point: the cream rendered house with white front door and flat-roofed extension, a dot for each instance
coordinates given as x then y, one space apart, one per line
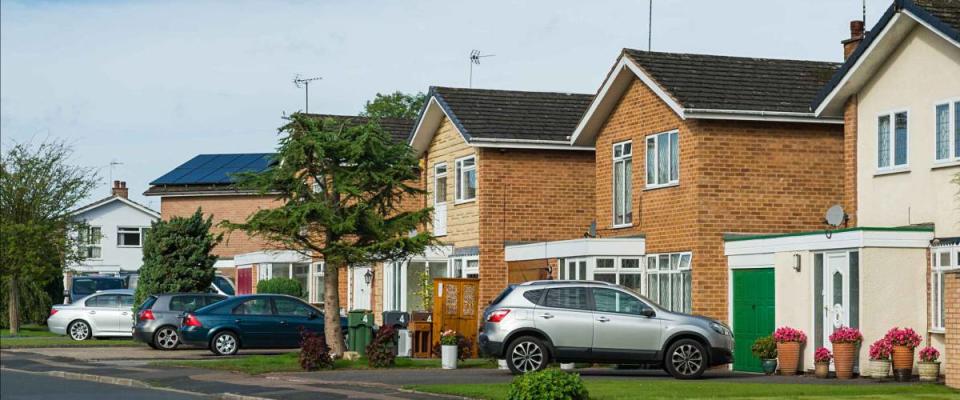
899 94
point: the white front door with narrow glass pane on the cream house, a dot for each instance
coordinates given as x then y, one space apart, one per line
836 294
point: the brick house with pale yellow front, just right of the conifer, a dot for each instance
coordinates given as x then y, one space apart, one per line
499 169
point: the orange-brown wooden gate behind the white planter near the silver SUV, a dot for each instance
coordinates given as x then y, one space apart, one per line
455 307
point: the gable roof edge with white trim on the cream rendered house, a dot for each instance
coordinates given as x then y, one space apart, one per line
942 17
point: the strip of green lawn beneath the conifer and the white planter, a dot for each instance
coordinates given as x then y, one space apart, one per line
288 362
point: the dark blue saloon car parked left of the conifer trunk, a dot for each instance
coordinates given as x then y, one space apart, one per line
251 321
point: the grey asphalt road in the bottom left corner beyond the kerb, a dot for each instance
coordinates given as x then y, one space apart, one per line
19 385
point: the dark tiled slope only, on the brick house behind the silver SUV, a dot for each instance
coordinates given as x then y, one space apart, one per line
699 81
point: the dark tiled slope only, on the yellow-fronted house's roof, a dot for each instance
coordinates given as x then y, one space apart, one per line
512 114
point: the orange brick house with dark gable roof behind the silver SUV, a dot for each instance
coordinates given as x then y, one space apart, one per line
723 145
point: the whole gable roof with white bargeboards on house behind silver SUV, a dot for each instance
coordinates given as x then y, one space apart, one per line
713 87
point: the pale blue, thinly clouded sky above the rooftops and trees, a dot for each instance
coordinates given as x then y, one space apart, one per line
152 84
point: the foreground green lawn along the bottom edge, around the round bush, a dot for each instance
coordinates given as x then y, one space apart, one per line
671 389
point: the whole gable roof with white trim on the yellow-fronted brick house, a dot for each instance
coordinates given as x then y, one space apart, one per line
502 118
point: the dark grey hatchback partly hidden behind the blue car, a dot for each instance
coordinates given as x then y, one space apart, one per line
158 318
